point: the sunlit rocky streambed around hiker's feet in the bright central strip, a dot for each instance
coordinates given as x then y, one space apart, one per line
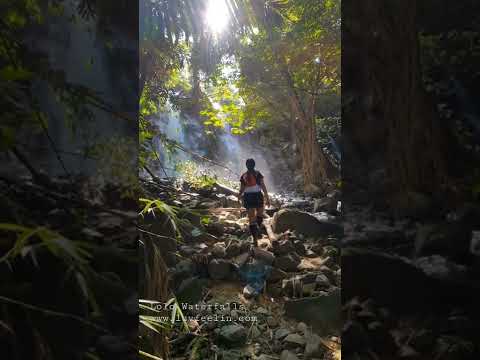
281 301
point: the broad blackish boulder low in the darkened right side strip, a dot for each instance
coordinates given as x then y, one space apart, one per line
403 285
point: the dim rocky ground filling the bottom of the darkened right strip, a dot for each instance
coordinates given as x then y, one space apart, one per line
410 286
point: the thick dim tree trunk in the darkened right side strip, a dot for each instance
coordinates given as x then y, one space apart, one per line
389 122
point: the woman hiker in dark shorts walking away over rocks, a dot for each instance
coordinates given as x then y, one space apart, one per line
251 187
